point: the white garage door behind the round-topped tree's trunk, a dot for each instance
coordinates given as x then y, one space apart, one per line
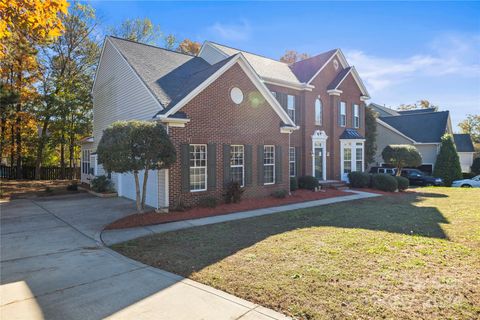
126 187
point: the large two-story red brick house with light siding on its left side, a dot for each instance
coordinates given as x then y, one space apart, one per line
232 115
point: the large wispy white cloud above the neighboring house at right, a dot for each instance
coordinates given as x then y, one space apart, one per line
451 55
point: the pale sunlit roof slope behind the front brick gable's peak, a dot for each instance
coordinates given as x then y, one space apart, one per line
266 68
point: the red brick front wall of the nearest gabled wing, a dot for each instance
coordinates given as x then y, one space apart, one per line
216 119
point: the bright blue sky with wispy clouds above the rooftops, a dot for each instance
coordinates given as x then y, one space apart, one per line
404 51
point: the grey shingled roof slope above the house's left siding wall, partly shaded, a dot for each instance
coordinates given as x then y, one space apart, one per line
164 72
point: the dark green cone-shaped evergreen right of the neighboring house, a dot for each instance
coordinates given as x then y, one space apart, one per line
447 165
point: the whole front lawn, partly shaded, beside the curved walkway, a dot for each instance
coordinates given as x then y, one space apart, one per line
406 256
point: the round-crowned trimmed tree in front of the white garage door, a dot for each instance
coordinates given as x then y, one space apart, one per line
132 146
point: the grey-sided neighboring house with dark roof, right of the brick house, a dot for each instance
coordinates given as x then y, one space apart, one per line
422 128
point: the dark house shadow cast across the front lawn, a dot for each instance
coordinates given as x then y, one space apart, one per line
191 250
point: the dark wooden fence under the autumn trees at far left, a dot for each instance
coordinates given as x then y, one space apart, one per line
46 173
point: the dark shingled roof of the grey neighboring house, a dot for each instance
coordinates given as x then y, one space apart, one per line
420 127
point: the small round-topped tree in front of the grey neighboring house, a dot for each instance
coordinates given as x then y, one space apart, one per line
401 156
